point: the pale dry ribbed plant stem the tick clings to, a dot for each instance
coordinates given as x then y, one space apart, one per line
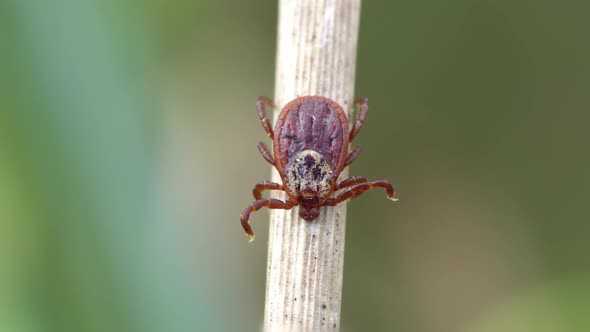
317 42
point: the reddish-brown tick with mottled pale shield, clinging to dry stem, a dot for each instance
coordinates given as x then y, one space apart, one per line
310 149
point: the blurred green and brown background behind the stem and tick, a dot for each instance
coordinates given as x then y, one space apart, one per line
128 135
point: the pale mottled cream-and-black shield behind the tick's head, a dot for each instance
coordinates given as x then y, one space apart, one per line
309 172
